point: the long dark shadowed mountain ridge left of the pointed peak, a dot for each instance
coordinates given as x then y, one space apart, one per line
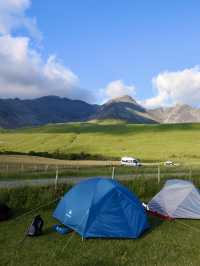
50 109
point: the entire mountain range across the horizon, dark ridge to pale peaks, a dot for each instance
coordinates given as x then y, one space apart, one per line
52 109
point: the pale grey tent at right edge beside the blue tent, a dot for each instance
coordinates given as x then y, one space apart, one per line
177 199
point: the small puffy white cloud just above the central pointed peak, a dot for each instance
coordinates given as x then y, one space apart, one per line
117 88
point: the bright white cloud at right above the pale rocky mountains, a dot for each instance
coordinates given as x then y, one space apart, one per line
176 87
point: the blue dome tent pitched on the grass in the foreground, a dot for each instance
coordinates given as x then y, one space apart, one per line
102 208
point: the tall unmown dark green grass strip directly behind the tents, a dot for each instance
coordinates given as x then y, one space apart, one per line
31 197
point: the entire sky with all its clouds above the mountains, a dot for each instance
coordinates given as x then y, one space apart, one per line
96 50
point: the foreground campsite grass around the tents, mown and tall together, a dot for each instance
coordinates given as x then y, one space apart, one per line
166 243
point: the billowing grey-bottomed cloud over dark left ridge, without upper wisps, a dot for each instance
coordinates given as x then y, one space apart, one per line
24 74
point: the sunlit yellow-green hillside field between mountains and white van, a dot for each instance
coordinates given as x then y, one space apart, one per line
147 142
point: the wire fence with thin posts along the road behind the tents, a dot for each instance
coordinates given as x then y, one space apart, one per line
34 171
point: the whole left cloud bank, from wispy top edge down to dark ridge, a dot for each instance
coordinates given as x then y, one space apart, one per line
24 73
